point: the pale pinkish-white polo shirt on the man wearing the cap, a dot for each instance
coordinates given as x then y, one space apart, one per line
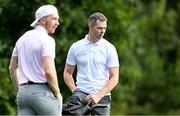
30 48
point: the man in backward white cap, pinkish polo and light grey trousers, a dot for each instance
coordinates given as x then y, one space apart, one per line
32 68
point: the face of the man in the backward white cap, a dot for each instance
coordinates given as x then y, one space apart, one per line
51 23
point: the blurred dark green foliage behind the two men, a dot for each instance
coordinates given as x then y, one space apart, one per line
145 34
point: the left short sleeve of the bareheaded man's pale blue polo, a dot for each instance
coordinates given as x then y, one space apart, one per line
71 59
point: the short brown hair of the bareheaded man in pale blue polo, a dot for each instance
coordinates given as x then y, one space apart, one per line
94 17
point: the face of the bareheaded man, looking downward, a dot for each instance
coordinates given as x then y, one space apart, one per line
99 29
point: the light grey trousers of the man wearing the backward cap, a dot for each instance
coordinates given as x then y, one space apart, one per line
37 99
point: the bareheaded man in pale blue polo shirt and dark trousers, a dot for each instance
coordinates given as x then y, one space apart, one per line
97 70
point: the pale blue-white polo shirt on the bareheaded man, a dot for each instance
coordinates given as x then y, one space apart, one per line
93 61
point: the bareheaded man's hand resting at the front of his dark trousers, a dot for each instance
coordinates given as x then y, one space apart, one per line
93 98
